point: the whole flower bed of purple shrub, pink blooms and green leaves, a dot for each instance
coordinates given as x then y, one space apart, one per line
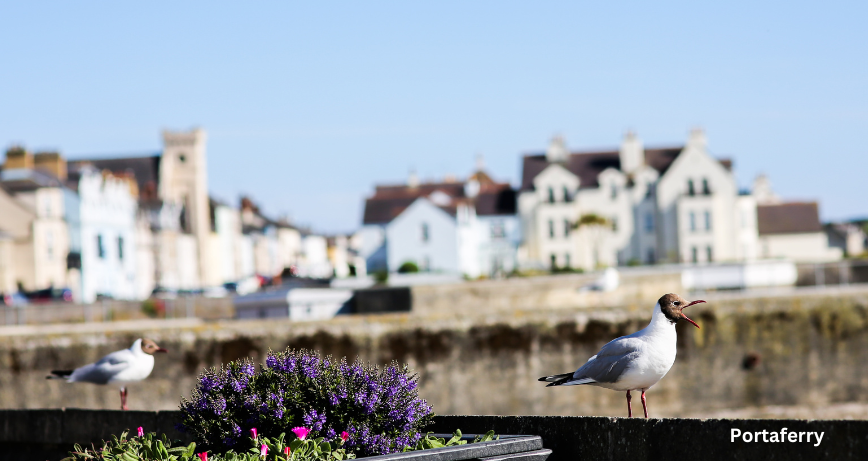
298 406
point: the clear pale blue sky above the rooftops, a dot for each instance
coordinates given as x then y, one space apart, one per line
307 106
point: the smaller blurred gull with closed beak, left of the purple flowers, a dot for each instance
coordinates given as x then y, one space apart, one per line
121 367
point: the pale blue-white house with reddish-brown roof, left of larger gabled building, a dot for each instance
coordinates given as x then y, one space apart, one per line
449 227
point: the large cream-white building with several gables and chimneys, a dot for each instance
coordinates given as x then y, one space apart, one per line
633 205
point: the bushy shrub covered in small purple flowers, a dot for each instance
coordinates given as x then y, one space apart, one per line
379 408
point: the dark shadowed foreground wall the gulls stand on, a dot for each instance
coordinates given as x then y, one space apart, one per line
50 434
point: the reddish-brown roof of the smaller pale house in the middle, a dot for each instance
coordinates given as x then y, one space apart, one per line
390 201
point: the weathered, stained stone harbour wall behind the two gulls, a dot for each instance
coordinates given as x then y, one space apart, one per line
807 348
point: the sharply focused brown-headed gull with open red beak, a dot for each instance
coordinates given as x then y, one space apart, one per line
634 362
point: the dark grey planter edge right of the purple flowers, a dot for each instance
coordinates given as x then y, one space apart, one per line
508 447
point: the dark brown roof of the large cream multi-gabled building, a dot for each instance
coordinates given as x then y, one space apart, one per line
588 165
